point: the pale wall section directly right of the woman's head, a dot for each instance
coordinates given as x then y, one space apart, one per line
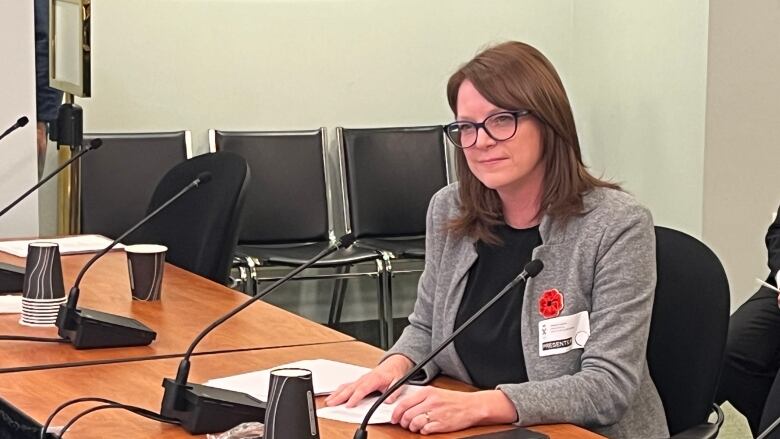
638 85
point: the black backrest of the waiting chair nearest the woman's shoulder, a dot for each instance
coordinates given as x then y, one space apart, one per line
391 175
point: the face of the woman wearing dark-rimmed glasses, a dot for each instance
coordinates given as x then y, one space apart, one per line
508 166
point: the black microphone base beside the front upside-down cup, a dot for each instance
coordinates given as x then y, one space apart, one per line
203 409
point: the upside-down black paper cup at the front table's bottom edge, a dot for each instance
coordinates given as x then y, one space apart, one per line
291 413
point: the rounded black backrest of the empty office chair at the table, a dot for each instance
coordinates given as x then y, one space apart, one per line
200 229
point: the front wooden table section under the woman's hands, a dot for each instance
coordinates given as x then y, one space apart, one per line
37 393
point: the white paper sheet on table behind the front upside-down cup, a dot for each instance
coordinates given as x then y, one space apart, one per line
327 375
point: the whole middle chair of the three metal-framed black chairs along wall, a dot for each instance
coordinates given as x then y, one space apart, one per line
287 217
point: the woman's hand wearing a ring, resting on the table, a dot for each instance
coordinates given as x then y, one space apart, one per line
433 410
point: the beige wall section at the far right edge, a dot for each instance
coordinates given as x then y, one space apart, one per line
742 160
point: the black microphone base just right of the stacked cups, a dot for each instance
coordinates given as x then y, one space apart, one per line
89 329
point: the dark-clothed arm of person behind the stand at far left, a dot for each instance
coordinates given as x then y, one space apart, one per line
48 99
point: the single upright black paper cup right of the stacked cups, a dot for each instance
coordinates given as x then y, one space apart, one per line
145 264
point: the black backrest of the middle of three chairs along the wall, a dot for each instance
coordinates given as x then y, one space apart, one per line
287 198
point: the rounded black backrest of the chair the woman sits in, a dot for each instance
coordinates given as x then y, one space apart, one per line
688 328
